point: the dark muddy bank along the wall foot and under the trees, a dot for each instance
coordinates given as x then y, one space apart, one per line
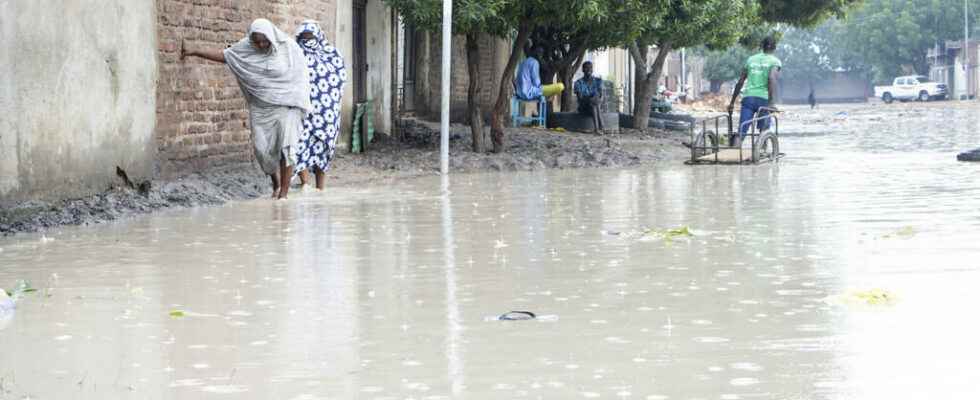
386 159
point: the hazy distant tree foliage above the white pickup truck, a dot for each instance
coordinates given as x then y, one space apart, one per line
894 36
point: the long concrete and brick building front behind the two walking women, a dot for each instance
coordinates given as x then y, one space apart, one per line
88 89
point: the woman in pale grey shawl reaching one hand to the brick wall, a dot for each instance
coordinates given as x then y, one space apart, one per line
272 73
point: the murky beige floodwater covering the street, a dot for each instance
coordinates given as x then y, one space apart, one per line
391 292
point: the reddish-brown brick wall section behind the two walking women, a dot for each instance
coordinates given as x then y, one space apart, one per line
201 115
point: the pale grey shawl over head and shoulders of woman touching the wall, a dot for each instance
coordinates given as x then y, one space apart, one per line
278 76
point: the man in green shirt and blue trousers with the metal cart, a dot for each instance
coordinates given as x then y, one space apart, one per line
761 72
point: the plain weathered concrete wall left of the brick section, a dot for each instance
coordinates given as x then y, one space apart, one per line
76 96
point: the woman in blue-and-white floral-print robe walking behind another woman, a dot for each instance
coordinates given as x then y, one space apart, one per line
322 126
